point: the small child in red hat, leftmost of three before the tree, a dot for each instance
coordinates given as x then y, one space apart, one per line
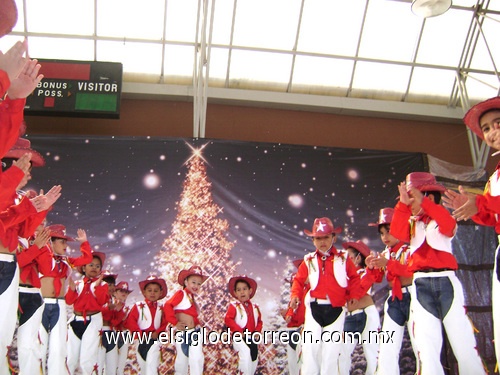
147 317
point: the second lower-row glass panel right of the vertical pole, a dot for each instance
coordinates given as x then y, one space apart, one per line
260 67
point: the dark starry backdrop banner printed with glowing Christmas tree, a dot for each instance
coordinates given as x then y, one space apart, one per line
158 205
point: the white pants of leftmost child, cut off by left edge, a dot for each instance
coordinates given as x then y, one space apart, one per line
9 299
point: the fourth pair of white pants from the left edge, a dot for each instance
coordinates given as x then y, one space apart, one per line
85 351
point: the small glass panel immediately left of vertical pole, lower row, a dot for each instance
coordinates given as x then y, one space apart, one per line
179 61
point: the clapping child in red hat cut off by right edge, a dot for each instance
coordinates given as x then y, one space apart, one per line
484 120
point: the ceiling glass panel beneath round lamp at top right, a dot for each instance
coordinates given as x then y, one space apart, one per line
443 38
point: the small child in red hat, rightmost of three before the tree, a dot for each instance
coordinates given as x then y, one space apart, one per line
243 315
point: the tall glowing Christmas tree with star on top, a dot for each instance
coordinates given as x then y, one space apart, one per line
199 237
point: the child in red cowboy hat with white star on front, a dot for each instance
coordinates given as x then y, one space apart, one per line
332 277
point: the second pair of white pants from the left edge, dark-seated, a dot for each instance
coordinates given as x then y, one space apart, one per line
28 343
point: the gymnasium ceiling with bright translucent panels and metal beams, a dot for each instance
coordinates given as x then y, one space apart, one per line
349 57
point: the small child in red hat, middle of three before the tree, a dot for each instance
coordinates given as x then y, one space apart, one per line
181 311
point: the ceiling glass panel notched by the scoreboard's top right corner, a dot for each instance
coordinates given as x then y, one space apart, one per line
135 57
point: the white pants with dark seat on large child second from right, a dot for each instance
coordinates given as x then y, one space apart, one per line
428 327
